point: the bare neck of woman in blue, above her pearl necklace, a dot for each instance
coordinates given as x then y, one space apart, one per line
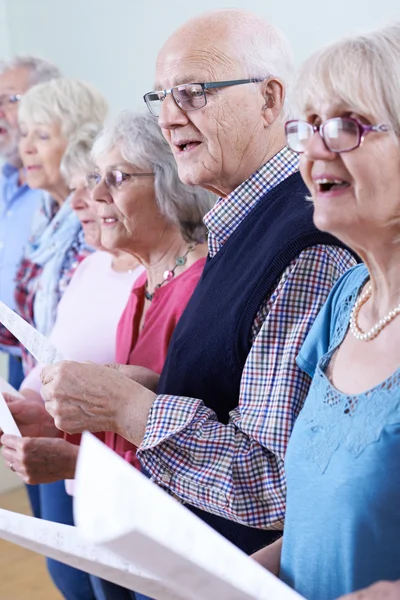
384 269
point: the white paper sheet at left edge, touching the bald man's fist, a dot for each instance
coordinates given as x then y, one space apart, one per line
36 343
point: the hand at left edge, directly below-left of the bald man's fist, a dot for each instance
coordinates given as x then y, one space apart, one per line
31 417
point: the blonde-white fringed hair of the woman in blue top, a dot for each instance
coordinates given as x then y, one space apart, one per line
363 71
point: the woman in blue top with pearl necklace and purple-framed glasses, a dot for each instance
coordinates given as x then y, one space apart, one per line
342 526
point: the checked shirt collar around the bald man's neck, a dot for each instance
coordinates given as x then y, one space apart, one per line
228 212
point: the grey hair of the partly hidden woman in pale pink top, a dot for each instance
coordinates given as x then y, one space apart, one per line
77 158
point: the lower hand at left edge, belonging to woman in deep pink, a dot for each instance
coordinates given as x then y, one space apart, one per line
40 460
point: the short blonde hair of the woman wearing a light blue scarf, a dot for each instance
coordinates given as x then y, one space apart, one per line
69 102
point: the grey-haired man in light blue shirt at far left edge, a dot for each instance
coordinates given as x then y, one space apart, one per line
18 202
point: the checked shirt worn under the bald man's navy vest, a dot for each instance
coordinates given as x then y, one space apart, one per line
236 470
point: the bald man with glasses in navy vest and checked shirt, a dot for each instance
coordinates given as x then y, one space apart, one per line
215 432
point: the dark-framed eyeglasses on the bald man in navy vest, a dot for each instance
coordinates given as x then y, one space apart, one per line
188 96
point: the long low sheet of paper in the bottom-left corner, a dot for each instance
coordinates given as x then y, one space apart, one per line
65 544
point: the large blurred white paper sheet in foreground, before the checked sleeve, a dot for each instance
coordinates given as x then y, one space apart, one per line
117 506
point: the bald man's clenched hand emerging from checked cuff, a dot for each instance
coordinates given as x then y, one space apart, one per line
95 398
